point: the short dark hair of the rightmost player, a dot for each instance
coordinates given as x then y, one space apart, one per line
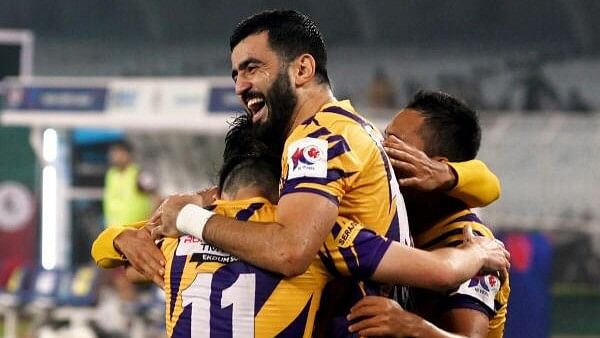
451 128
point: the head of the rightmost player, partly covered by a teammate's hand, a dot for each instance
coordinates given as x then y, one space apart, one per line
440 125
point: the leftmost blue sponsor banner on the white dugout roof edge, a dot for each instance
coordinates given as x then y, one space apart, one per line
40 98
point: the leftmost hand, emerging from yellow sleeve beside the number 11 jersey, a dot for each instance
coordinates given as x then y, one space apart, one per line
142 253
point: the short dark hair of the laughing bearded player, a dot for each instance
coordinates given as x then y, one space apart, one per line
291 34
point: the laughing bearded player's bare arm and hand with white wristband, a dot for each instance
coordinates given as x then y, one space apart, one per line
286 246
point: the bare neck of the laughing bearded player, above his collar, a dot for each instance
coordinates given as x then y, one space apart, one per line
310 100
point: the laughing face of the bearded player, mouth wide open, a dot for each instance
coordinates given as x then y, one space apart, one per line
261 78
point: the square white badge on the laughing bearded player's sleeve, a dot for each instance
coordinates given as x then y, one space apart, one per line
307 157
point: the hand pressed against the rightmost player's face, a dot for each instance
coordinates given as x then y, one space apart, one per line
414 169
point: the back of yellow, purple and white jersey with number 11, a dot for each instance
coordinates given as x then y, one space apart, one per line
210 293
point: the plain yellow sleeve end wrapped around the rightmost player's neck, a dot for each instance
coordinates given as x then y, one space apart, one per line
477 186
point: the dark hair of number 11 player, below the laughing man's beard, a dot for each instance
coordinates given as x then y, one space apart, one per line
248 162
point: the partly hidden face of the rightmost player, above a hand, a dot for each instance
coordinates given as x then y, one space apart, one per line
406 126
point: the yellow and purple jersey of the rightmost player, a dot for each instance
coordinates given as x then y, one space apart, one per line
483 293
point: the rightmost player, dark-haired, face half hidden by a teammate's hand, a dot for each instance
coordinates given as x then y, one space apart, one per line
446 130
